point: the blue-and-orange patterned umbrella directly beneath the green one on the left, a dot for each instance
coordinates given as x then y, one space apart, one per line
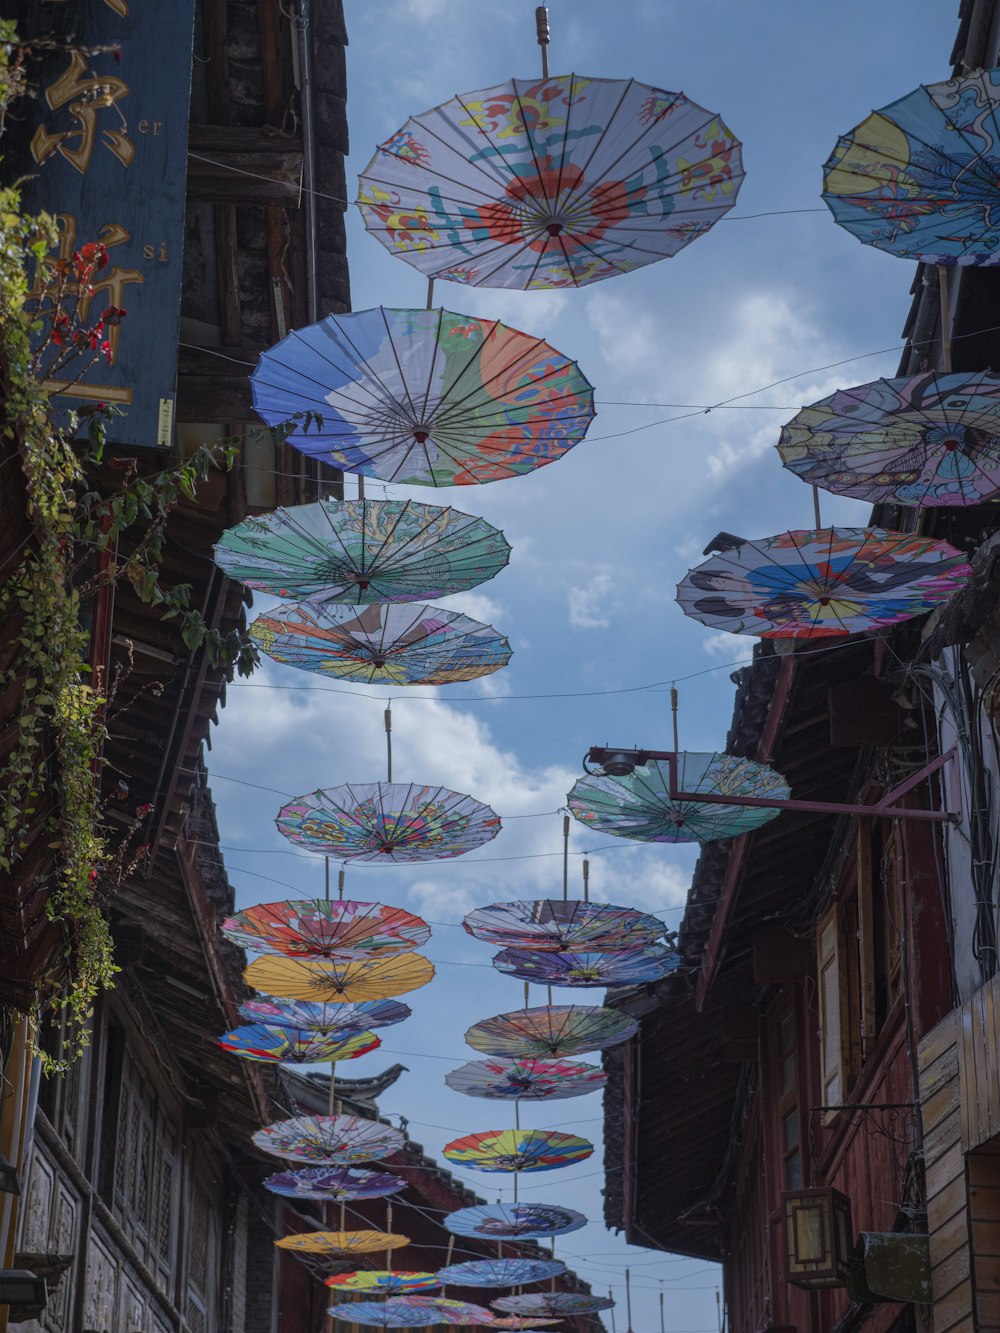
382 646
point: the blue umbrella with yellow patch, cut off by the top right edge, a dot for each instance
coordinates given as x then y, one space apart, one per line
919 178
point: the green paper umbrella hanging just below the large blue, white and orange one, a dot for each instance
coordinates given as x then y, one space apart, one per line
363 551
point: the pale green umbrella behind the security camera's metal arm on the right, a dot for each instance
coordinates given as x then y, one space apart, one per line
641 806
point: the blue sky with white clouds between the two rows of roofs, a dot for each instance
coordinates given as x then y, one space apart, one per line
602 538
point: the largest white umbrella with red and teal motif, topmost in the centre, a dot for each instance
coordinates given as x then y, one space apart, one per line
550 183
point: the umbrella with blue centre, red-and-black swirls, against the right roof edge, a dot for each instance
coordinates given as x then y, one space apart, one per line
822 583
